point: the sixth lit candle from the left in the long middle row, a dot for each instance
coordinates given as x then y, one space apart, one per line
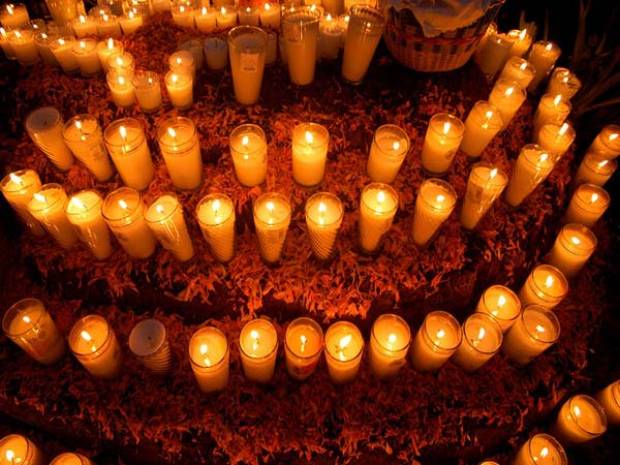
216 217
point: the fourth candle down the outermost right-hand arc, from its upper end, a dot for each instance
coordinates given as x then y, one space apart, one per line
573 247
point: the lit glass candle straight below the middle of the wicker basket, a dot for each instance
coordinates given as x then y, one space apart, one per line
441 142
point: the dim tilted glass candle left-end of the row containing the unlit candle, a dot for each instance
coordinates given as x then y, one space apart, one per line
31 327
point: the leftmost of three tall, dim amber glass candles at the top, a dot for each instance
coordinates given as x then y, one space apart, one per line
247 46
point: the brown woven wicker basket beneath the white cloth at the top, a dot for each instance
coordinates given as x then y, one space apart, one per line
445 52
